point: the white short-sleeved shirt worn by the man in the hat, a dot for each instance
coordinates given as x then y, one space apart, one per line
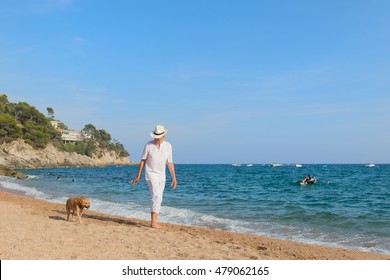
157 159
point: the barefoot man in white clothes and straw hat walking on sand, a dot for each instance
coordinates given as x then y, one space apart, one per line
156 155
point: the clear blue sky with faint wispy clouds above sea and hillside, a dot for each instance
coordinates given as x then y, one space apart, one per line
233 81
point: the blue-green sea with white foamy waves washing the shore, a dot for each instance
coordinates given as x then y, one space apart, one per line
348 207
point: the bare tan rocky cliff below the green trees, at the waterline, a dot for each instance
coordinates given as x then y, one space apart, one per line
18 154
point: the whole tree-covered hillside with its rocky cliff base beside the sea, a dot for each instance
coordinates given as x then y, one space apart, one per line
29 140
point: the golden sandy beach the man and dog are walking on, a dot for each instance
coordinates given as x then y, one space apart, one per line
33 229
